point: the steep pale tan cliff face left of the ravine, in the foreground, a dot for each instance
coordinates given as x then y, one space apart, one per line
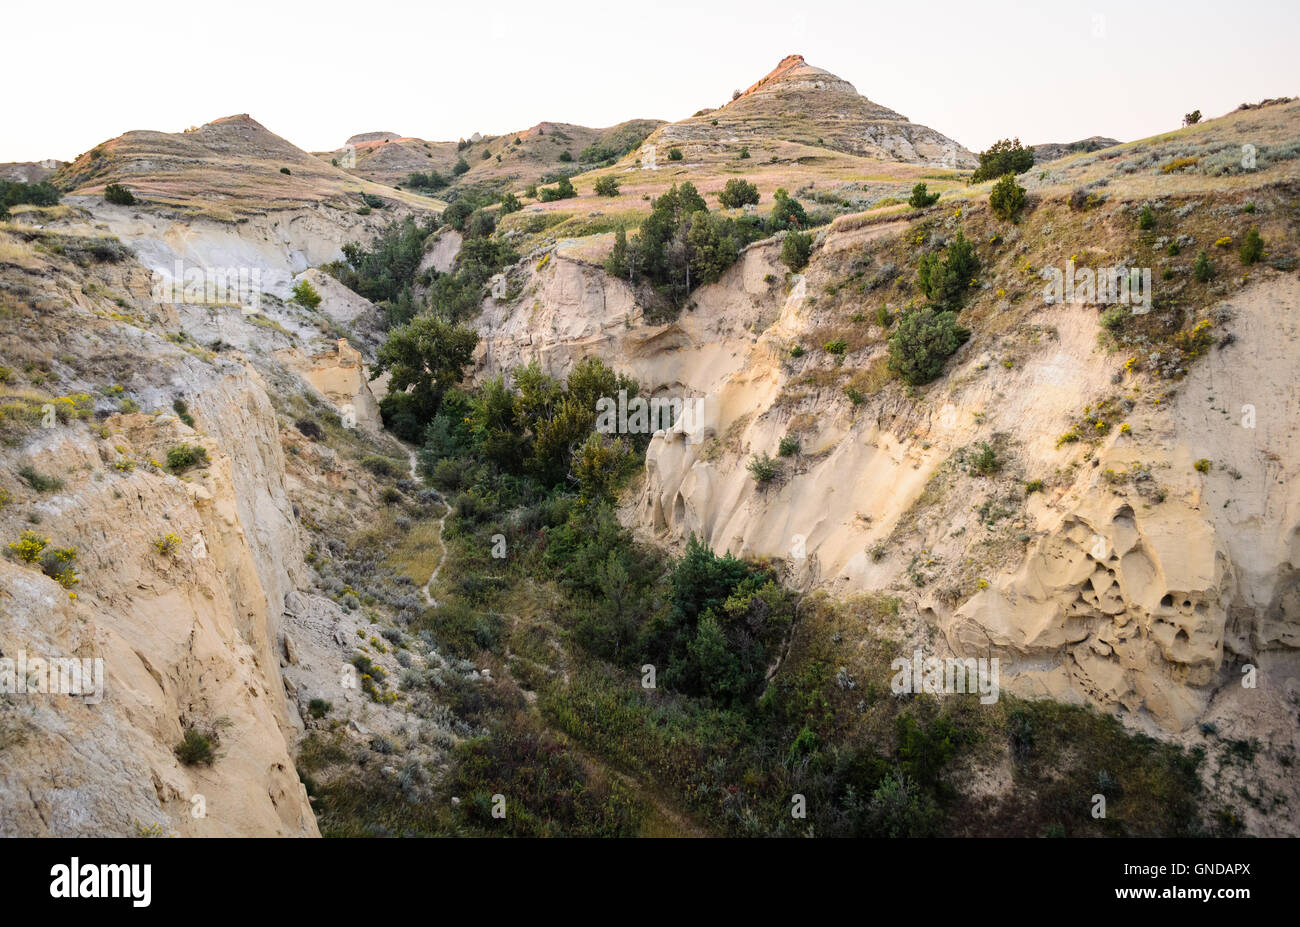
188 638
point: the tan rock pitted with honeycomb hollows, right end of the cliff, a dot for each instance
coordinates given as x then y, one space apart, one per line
1159 607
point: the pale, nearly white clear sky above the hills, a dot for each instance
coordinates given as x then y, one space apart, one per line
317 73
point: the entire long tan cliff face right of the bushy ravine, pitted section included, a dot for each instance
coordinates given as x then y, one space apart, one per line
1113 597
